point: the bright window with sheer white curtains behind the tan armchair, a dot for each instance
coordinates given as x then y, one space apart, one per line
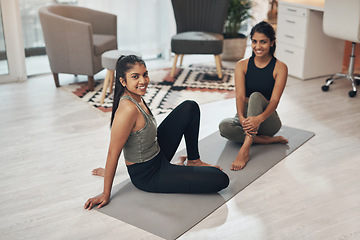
144 26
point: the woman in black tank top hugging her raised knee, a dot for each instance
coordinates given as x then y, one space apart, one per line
259 83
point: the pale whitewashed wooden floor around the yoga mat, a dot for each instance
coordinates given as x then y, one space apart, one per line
50 142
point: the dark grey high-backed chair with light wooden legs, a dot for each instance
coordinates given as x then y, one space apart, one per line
200 25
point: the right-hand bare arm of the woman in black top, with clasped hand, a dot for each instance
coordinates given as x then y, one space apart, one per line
280 76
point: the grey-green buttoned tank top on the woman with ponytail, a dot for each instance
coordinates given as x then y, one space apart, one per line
142 145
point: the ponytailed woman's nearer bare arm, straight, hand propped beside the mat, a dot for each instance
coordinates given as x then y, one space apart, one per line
124 122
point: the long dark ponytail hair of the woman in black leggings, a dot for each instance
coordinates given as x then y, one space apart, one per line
123 64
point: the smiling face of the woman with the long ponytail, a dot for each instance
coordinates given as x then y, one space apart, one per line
136 81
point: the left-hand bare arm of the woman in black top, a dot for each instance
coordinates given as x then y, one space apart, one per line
240 71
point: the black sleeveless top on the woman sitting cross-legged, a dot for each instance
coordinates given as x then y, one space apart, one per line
260 79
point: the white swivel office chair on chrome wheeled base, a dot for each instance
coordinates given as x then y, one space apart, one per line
342 20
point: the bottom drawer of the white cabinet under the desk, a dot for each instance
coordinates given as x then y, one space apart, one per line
293 57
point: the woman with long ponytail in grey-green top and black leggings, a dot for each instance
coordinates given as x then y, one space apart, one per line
148 149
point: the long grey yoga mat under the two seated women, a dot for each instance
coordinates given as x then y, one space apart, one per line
171 215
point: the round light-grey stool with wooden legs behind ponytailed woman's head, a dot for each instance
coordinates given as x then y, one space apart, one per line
108 61
